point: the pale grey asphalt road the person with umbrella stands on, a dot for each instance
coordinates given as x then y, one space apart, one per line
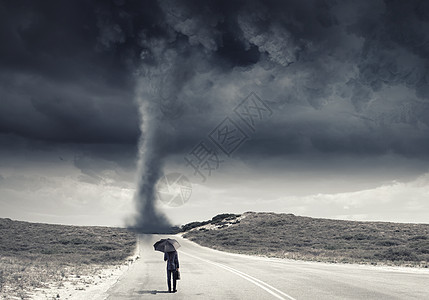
211 274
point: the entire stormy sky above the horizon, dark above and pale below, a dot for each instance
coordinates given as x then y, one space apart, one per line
316 108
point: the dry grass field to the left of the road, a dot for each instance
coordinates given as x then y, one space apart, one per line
34 255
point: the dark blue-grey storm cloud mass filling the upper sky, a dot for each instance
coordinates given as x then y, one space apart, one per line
347 78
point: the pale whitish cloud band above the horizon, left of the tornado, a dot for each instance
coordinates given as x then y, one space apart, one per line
67 201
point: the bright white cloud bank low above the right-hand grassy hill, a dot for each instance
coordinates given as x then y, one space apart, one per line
400 201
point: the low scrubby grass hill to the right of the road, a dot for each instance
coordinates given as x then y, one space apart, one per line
289 236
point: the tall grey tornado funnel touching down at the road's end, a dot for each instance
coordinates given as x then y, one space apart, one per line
161 78
